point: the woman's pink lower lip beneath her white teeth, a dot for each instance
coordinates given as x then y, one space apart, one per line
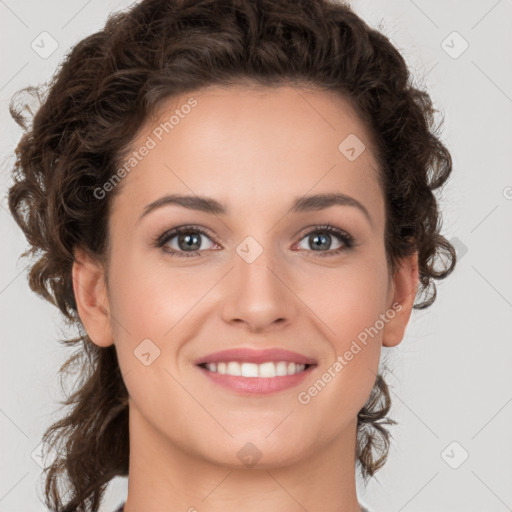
257 385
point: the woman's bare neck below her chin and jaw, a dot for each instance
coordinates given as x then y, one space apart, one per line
165 477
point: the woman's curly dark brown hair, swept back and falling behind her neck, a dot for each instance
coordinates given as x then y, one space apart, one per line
110 83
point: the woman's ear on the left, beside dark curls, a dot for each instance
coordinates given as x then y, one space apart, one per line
91 298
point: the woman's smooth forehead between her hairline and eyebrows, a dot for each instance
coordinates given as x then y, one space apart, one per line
252 146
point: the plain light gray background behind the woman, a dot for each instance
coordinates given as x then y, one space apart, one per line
451 377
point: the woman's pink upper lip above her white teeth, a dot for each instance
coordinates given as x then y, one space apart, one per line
248 355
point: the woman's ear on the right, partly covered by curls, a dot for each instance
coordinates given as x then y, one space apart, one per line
402 294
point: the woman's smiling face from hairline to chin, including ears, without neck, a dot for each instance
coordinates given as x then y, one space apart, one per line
257 271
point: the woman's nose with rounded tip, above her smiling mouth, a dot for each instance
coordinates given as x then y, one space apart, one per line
259 294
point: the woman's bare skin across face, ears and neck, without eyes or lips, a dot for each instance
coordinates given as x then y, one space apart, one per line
254 150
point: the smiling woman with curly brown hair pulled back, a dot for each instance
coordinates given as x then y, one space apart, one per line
234 203
